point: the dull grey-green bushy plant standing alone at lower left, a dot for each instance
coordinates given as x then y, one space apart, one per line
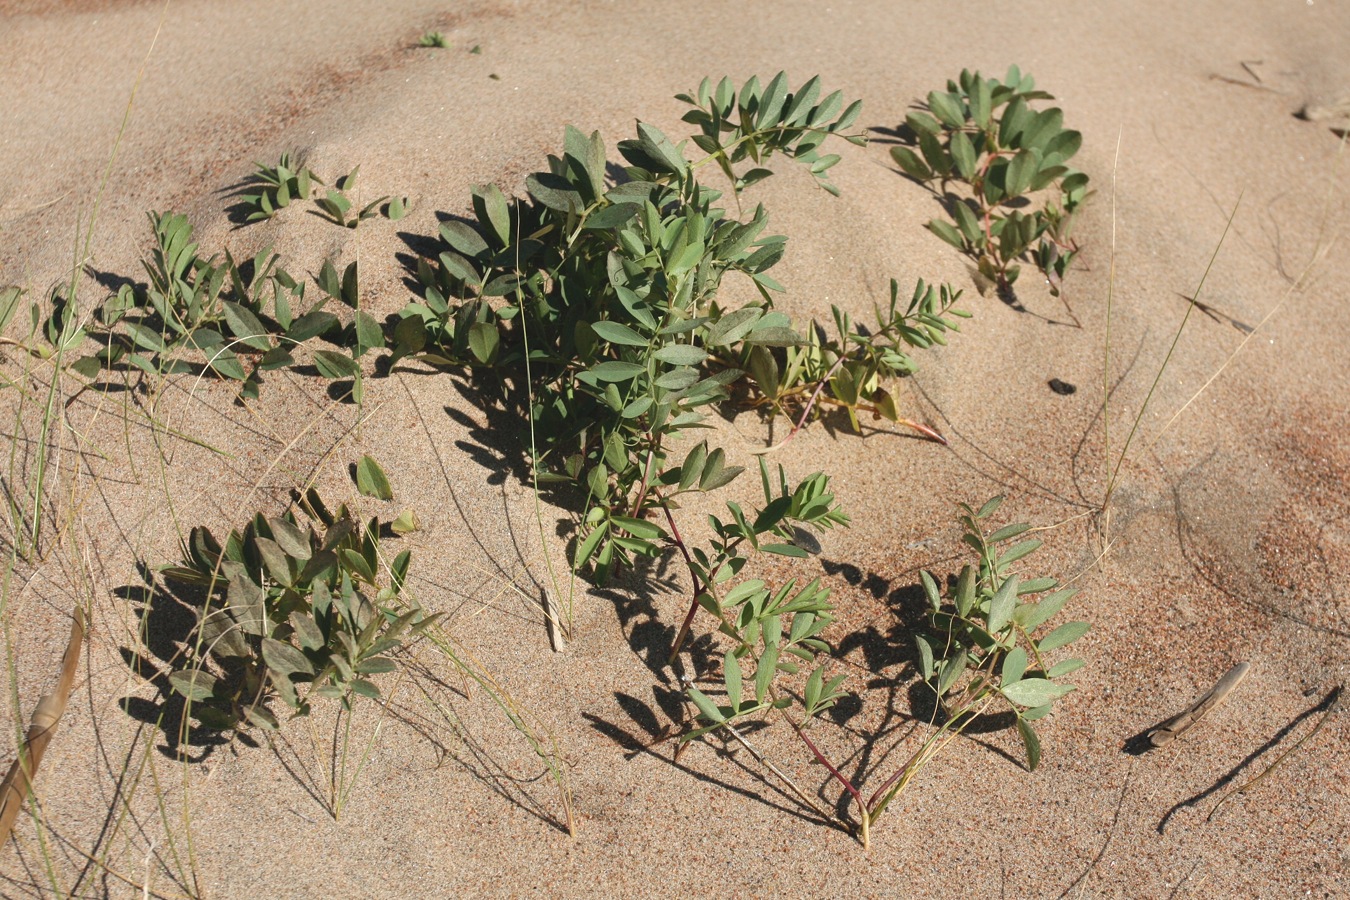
291 609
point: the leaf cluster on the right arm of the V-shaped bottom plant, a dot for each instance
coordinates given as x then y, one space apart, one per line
986 640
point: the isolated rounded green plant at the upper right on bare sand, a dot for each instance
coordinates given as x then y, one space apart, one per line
985 134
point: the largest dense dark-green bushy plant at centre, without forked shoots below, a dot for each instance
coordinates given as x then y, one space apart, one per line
603 302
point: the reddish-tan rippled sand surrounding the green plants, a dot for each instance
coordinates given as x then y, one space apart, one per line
1229 532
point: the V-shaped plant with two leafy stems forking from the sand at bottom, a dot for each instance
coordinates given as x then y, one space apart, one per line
979 652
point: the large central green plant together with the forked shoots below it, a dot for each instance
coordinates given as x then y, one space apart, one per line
593 306
